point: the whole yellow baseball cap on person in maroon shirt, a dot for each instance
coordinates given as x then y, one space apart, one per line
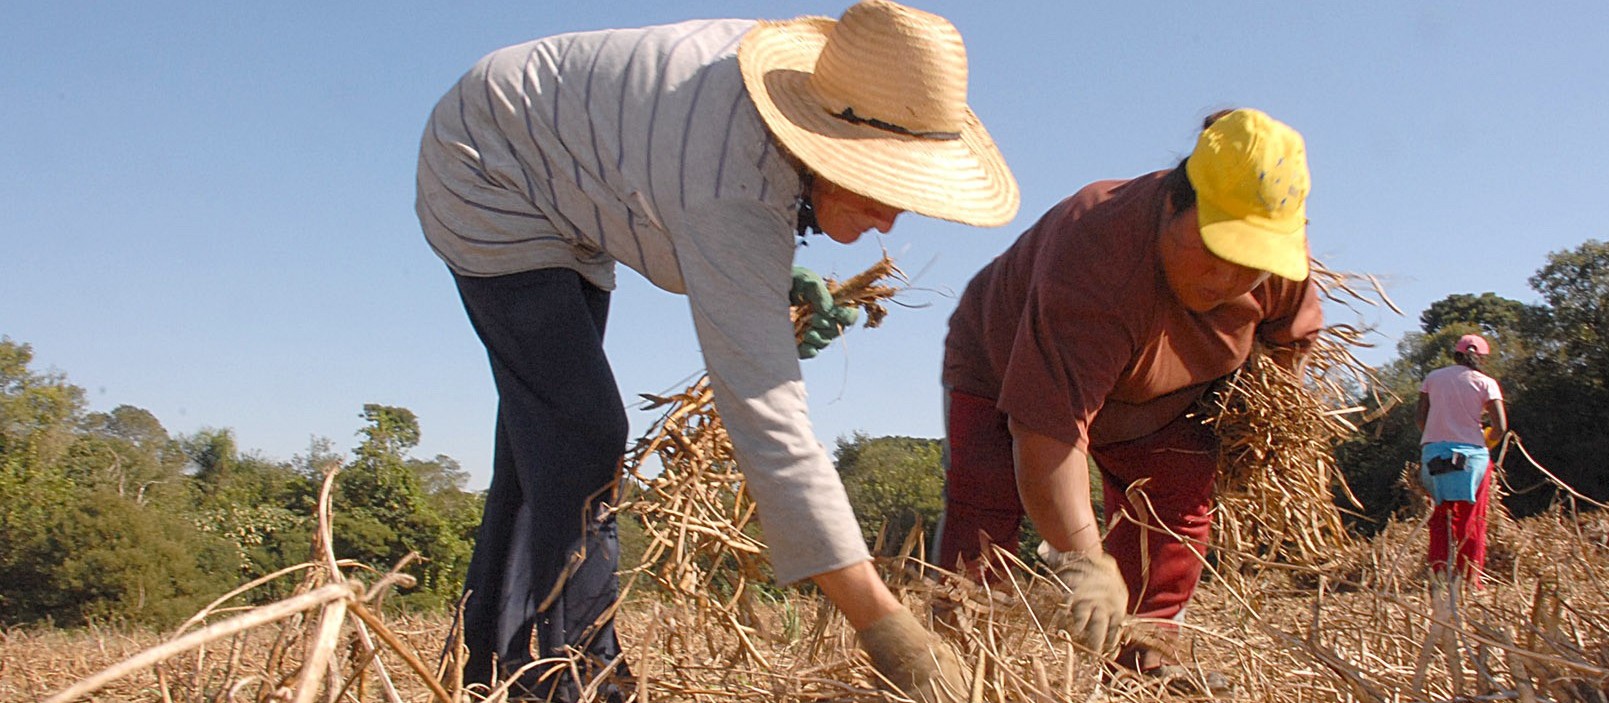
1251 186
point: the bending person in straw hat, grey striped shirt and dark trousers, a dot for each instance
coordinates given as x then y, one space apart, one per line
693 154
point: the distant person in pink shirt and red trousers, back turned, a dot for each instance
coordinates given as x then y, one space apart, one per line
1455 461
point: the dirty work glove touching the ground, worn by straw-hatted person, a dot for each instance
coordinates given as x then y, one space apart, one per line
923 667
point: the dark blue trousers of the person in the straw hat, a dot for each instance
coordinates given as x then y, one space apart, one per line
546 554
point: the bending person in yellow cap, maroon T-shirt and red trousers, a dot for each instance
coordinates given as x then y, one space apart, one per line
1093 337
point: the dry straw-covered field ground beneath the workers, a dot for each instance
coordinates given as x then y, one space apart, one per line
1352 631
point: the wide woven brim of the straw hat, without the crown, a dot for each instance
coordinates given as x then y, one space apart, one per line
960 179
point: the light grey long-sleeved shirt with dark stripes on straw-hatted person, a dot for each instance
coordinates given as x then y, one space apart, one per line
643 147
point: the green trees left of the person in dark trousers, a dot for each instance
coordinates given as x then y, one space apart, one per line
107 517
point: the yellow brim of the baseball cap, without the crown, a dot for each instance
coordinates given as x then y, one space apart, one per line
1277 247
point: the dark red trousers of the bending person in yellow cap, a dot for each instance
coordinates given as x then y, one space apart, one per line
982 506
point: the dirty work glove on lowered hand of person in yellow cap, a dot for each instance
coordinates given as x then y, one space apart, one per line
1098 602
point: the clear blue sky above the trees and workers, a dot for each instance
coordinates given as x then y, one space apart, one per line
207 210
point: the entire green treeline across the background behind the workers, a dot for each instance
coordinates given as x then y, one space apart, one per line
107 517
